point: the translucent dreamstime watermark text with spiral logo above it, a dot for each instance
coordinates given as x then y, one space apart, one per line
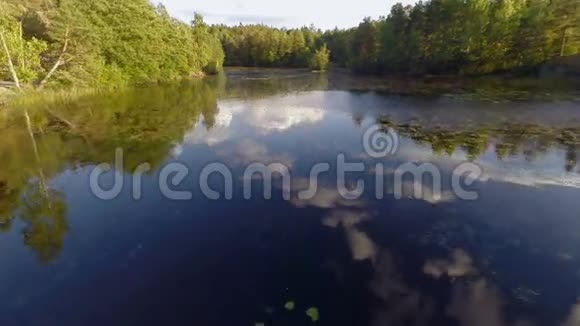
377 142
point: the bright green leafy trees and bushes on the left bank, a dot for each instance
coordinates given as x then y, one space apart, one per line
101 43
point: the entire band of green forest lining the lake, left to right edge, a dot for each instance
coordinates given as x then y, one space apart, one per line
109 43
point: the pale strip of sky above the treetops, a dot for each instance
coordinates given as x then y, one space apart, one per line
325 14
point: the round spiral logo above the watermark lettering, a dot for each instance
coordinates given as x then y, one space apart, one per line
379 143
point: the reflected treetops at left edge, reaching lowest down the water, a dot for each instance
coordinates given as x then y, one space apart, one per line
25 195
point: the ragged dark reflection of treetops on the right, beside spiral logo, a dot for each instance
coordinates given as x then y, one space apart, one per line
509 140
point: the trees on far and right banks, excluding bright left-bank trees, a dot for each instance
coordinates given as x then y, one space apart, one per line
433 37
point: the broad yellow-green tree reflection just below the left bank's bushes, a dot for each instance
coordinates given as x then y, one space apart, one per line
146 123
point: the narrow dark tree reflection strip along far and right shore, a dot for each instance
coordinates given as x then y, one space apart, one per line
258 83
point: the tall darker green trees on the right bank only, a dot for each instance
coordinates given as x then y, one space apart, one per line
460 36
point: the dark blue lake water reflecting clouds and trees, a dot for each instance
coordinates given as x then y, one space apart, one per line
511 257
